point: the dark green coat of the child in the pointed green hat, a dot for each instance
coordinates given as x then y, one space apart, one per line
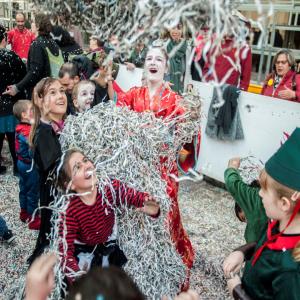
275 275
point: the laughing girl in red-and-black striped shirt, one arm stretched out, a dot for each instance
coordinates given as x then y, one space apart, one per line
87 225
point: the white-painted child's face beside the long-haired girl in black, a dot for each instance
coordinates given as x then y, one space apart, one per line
83 95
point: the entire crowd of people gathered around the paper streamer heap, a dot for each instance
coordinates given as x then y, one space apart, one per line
47 75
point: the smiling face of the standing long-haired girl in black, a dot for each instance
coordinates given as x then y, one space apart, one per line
55 100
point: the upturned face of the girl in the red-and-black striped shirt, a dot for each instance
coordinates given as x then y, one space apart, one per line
82 173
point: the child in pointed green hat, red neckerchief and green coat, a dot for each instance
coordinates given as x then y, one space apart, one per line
273 272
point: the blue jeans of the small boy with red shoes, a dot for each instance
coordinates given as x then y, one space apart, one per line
29 187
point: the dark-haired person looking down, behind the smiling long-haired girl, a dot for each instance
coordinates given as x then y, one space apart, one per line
69 76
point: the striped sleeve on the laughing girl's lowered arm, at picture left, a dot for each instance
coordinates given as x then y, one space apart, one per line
68 231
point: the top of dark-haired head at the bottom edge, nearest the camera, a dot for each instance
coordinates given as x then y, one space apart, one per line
111 283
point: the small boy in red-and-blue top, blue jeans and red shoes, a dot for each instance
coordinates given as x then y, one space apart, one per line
28 175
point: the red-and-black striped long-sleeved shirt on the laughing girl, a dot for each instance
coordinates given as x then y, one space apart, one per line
93 224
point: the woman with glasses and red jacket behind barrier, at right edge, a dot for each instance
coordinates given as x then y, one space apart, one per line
283 82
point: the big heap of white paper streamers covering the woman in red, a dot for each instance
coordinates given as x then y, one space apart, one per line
127 146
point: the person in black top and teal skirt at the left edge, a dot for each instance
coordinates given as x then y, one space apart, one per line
12 70
